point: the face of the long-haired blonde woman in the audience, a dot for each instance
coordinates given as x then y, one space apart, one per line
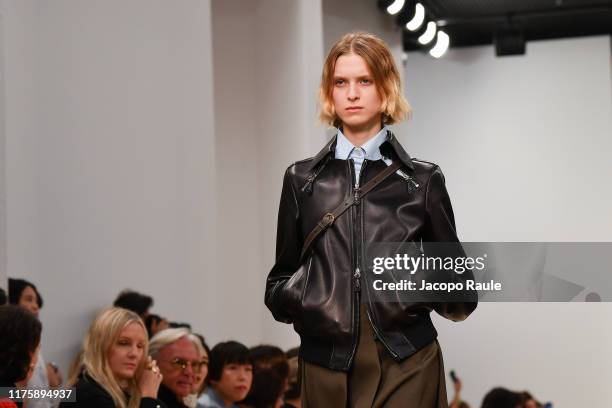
128 351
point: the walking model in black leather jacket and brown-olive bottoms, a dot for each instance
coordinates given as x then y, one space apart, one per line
361 346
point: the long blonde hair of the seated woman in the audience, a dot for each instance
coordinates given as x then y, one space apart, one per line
102 335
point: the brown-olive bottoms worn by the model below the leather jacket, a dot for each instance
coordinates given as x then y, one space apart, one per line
376 380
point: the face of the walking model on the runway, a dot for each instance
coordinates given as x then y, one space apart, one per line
355 95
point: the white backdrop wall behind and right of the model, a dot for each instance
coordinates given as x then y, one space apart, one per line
492 123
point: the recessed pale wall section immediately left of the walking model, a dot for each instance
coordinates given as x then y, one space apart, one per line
267 59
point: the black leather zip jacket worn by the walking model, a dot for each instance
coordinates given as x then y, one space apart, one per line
320 295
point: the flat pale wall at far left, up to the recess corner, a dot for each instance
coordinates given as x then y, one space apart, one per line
110 159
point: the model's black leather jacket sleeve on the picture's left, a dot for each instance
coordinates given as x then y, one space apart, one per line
288 248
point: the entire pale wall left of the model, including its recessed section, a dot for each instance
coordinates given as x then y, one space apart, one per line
120 173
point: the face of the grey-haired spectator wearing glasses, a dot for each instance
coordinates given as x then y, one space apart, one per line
171 360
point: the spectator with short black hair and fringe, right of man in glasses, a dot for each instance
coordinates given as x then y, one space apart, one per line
230 374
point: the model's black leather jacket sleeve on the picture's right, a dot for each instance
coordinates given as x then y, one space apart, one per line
440 233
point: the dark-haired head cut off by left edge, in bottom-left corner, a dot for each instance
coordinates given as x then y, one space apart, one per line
19 344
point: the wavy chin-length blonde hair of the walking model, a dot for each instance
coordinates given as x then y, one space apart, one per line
380 62
